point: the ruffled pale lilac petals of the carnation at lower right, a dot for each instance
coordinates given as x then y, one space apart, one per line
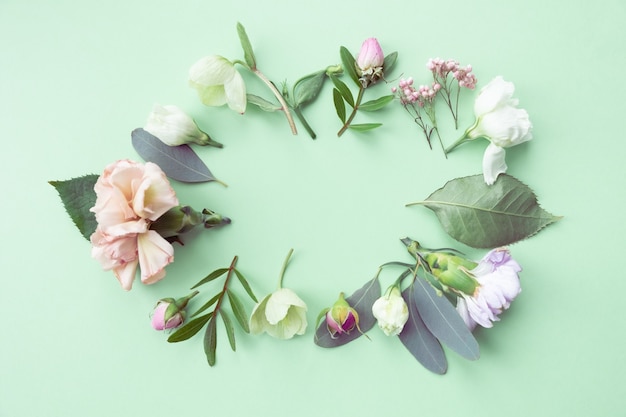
498 285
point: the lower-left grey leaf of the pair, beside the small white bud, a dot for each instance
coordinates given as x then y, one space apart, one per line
419 340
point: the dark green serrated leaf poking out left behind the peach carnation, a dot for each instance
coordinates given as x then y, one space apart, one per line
78 196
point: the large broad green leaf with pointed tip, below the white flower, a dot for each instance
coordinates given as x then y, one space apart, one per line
488 216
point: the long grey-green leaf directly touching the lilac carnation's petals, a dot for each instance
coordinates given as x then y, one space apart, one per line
443 321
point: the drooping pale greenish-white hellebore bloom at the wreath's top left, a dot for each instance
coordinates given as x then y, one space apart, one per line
218 83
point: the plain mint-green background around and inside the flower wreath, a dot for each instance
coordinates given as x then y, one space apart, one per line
77 77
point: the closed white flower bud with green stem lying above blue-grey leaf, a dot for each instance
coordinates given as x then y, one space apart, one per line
174 127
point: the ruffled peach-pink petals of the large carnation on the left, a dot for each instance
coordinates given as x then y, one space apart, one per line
130 196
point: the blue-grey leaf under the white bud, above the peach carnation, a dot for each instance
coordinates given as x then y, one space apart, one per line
178 162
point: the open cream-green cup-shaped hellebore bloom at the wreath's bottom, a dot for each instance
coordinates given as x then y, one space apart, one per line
281 314
